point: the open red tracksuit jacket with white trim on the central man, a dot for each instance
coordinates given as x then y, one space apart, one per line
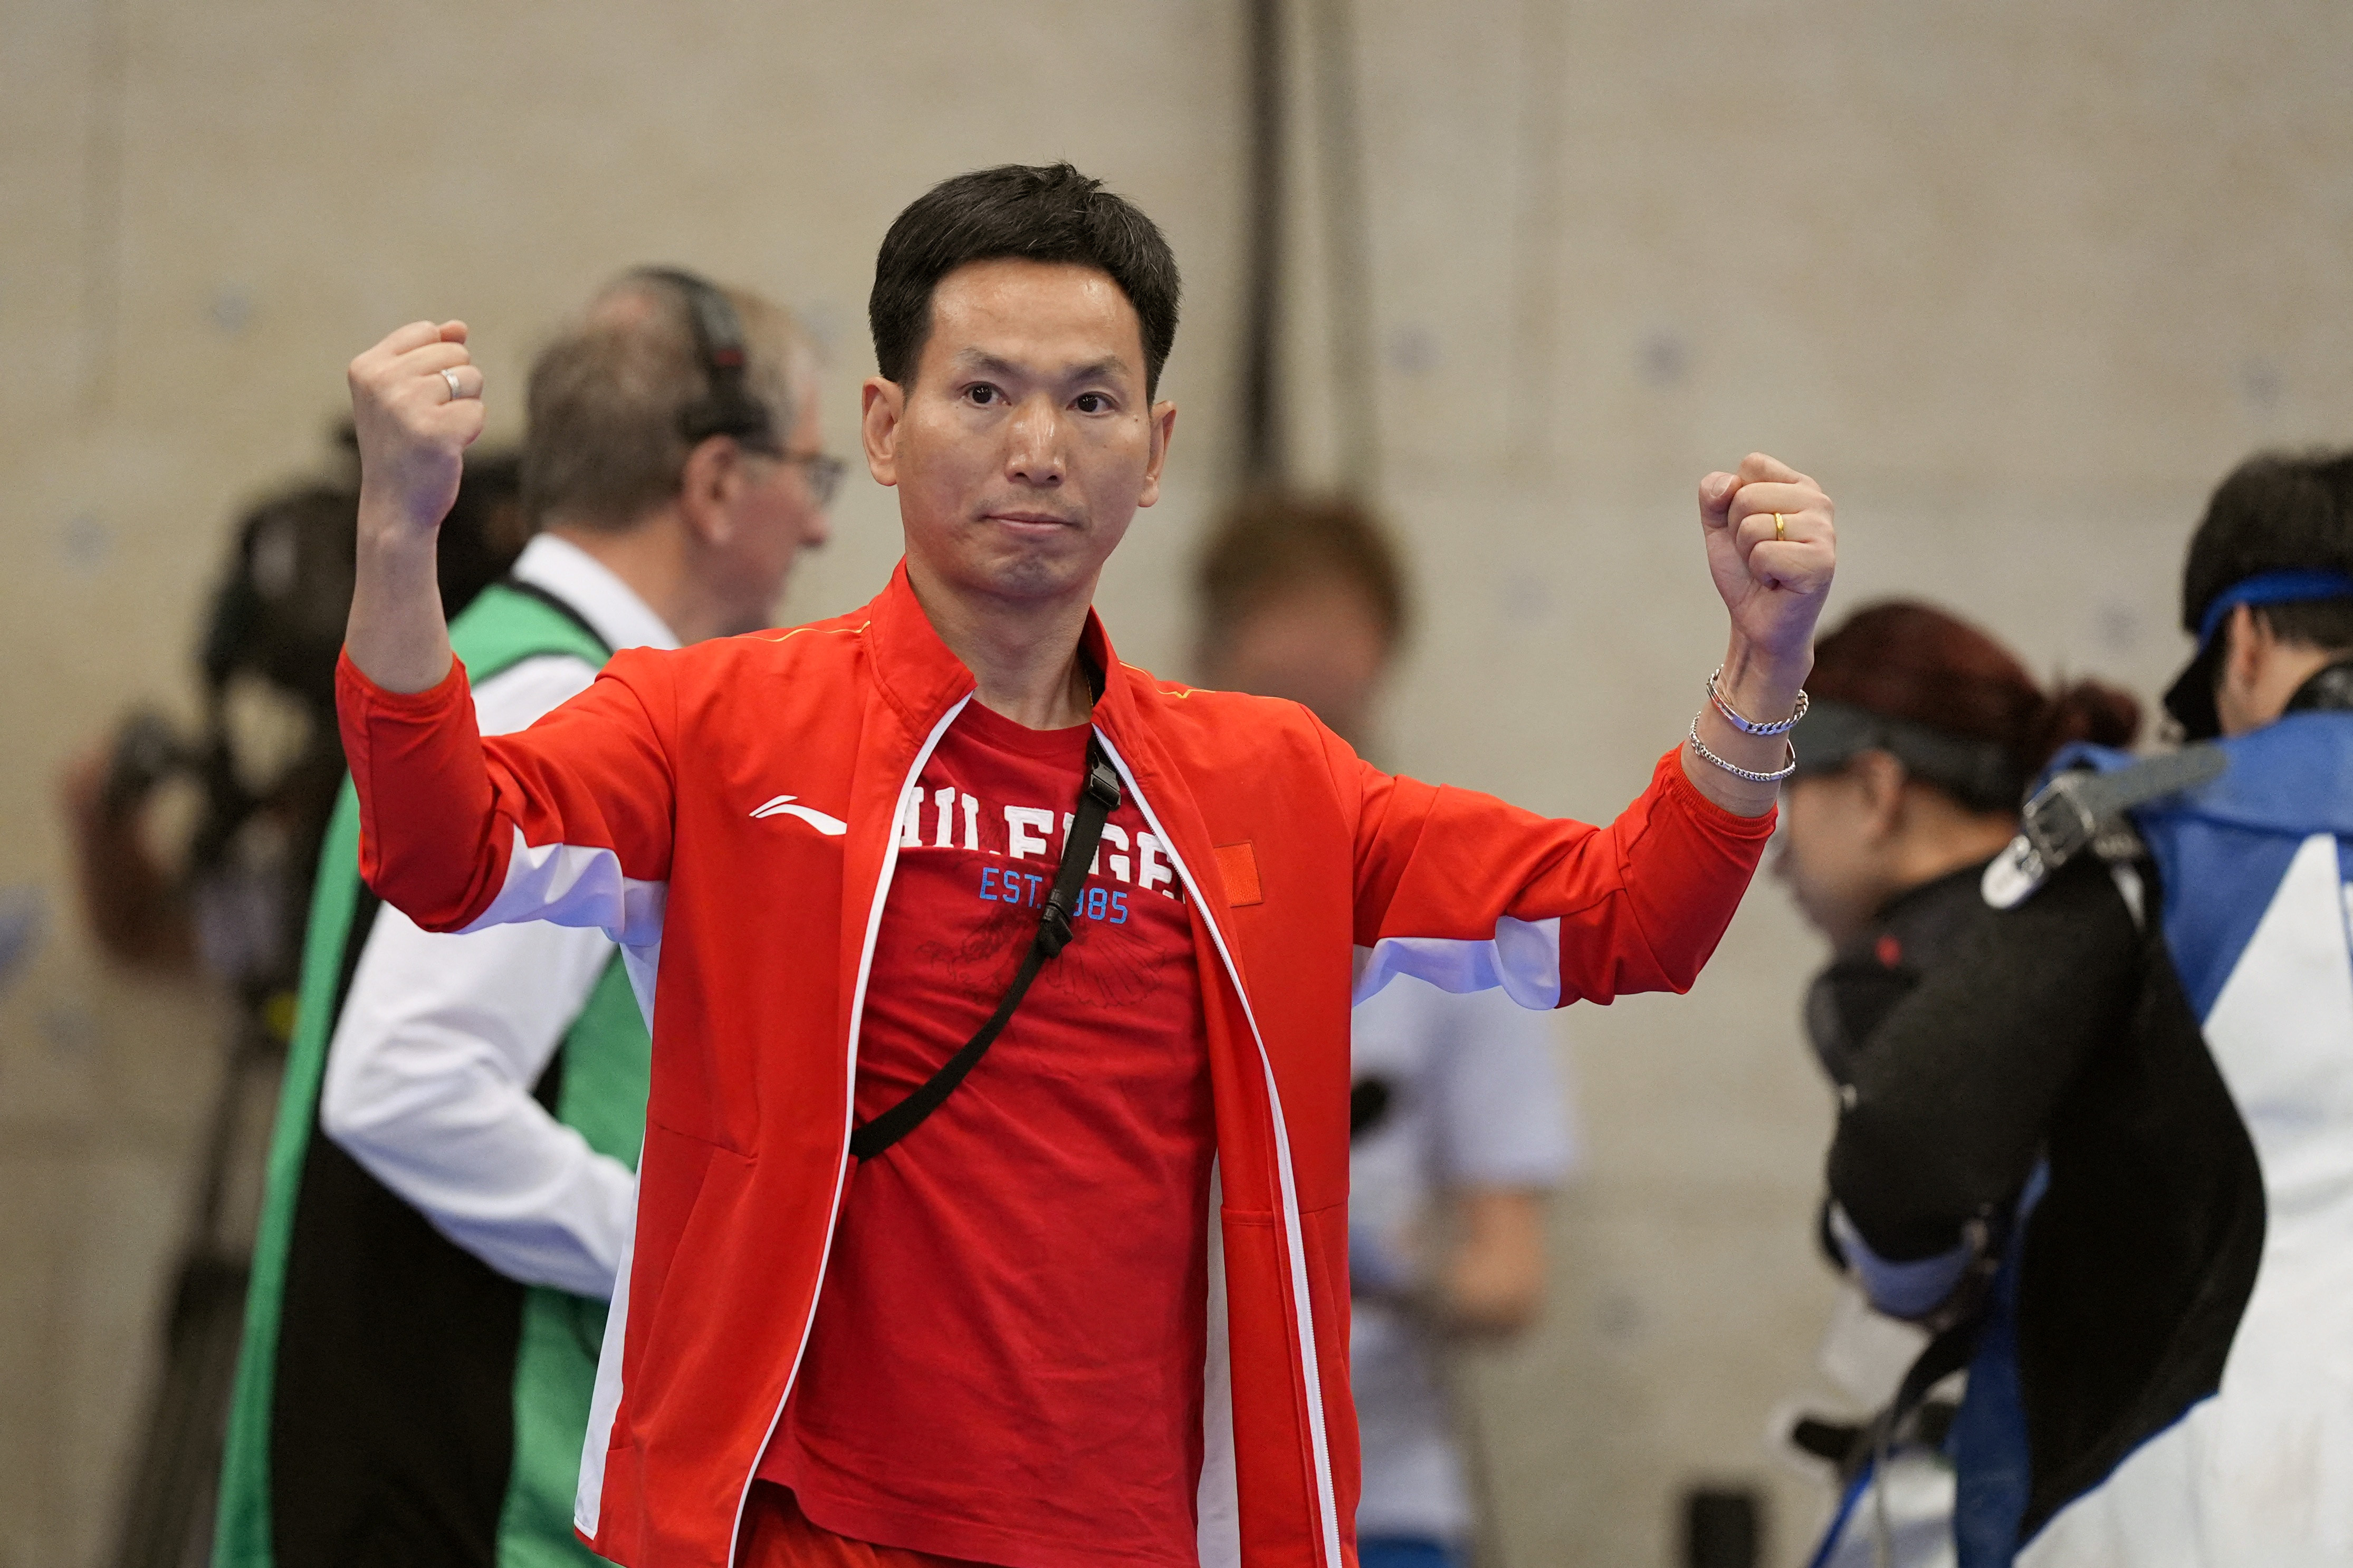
728 812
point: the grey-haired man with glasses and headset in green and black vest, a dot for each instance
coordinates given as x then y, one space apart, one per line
453 1177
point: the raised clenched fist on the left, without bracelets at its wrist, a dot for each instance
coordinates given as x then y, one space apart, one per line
415 406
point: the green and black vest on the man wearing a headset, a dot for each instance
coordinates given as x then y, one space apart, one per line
396 1398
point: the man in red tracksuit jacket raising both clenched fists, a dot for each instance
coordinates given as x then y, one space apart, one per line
1093 1308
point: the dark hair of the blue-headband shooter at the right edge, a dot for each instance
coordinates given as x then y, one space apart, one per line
2277 511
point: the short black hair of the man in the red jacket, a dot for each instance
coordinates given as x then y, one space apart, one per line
1032 213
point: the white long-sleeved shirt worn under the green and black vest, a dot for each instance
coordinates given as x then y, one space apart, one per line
432 1068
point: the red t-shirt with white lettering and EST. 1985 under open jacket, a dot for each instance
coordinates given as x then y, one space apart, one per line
1008 1351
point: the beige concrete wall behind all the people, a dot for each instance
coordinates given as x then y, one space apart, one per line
2015 281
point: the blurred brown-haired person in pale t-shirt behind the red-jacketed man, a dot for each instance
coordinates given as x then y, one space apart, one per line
1460 1113
